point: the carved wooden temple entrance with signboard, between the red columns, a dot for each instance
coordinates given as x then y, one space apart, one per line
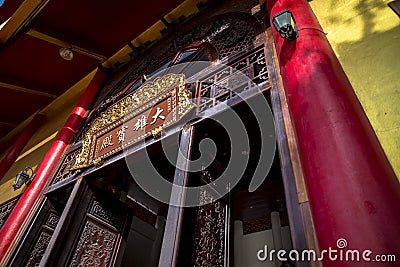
104 213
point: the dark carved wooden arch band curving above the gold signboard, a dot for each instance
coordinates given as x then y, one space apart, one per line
229 35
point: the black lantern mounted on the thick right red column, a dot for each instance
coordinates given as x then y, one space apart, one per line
285 25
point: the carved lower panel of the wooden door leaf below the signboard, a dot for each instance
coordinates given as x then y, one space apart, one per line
95 246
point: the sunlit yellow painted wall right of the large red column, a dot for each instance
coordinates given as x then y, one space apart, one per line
365 35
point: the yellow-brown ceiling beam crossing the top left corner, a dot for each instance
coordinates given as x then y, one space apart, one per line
21 18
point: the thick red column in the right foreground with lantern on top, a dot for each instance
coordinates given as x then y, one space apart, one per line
353 191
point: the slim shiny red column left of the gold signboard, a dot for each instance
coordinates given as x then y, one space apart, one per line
27 200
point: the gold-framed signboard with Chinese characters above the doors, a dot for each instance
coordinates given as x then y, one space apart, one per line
145 112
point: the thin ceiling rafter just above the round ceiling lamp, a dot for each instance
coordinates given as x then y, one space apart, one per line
50 39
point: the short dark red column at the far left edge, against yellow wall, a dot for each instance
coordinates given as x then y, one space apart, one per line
20 143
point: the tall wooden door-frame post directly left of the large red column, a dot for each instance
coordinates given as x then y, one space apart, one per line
300 220
